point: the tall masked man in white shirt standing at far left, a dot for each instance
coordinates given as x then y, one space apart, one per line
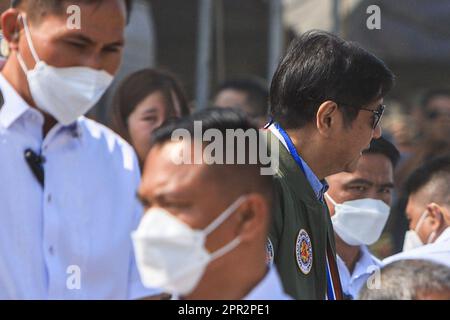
67 192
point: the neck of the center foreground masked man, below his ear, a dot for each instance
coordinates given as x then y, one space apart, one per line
231 280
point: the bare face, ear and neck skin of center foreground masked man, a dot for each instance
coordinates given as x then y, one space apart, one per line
181 189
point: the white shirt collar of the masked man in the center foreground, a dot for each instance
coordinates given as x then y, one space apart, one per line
270 288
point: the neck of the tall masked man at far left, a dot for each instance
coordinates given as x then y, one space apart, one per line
14 74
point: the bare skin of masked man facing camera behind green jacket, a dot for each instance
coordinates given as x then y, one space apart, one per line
374 179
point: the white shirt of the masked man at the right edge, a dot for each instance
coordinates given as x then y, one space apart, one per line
438 251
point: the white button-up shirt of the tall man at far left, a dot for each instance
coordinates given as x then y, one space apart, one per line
70 239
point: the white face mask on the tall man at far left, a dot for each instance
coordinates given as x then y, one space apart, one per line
64 93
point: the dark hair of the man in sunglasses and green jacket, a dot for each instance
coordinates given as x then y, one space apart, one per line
320 66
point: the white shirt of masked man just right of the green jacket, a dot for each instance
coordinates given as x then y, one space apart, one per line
364 268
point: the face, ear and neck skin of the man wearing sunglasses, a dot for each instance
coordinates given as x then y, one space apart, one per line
328 146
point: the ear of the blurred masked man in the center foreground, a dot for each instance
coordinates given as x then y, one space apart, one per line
254 215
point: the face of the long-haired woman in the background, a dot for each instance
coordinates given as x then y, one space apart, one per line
148 115
